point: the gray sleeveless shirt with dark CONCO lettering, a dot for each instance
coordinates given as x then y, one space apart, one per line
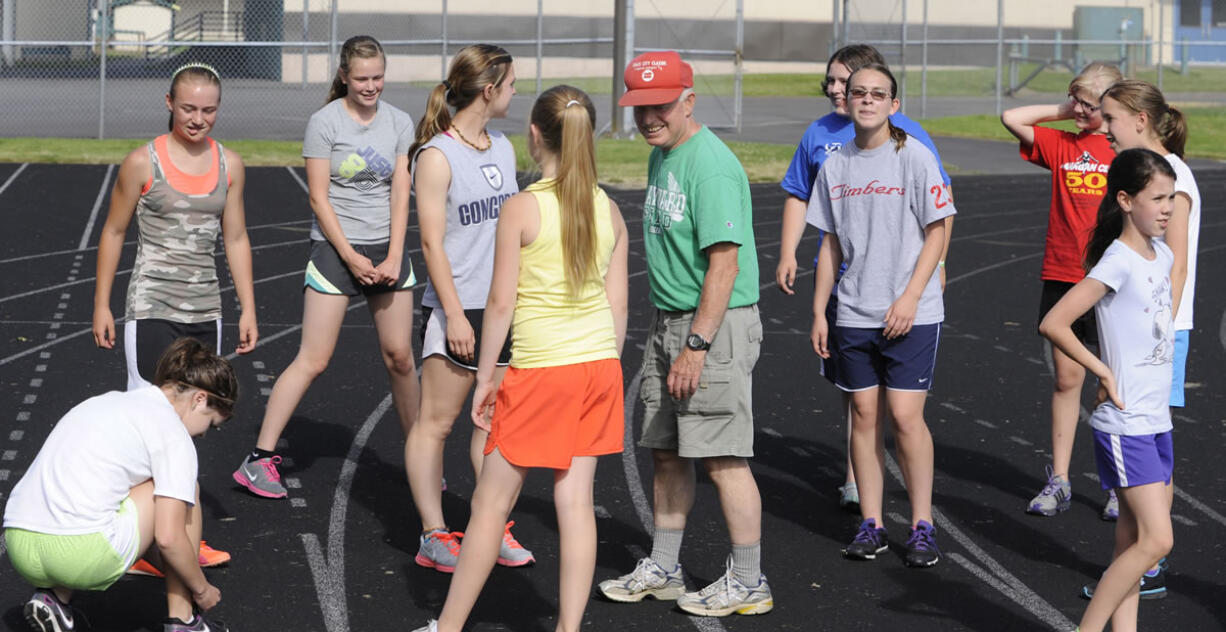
481 182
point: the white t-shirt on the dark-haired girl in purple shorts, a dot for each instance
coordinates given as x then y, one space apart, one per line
1136 339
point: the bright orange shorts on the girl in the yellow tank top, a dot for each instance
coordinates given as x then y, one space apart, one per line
546 417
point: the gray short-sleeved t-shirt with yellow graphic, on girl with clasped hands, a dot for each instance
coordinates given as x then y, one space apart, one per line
362 160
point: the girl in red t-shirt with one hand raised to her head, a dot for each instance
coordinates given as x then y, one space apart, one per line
1079 166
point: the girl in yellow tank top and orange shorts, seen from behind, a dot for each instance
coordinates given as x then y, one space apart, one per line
561 274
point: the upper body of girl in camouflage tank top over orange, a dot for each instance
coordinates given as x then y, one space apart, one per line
185 190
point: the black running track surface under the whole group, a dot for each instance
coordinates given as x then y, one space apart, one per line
339 555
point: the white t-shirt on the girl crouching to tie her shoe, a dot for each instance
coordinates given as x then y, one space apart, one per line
96 455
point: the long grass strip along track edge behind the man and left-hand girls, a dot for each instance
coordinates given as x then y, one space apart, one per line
622 163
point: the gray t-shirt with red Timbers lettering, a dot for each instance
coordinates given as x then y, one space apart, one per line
878 204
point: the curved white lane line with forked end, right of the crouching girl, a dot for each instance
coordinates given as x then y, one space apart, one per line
329 569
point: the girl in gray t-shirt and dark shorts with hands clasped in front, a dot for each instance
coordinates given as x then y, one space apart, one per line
357 174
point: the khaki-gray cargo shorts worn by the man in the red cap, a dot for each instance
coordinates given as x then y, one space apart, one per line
718 420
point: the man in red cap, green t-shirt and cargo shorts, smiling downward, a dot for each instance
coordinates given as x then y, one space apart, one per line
703 345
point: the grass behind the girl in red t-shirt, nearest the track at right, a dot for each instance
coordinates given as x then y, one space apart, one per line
1207 131
